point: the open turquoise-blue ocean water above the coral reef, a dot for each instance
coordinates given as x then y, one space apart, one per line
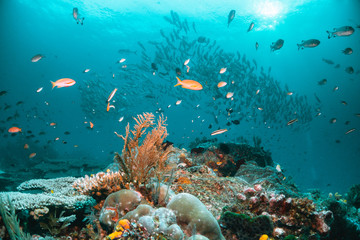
314 151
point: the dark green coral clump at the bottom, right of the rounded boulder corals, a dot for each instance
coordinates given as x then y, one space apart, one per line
246 227
